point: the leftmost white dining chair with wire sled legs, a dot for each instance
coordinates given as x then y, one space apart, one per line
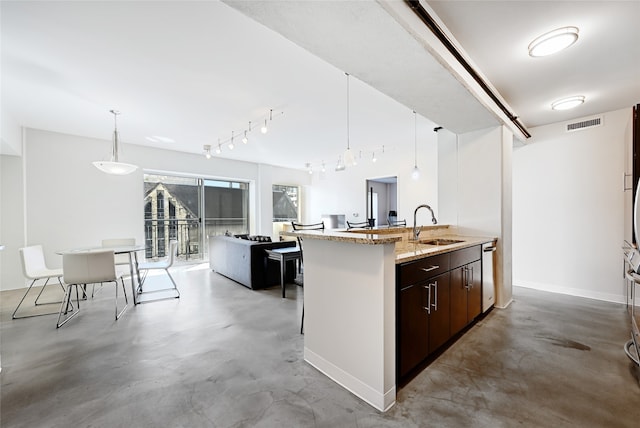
35 268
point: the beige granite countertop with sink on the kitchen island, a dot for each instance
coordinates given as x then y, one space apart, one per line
406 249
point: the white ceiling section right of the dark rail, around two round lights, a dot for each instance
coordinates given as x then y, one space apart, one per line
604 64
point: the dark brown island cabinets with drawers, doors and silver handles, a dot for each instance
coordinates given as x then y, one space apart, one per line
436 298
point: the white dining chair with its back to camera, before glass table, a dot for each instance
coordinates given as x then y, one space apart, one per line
84 268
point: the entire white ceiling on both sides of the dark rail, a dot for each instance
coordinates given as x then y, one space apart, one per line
196 71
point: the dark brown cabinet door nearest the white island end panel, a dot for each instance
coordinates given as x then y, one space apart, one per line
413 328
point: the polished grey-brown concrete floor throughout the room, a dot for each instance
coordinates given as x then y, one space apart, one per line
226 356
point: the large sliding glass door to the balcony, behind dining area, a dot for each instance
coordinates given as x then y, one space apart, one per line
174 207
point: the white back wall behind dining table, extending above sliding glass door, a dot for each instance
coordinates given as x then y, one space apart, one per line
69 203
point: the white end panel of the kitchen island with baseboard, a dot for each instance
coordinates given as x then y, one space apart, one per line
349 325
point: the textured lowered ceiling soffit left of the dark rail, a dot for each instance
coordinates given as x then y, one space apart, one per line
390 59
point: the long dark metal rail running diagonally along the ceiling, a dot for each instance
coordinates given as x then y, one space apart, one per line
437 31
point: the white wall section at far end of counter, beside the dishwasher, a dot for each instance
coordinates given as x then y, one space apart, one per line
474 181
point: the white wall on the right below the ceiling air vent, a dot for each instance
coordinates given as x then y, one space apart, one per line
568 209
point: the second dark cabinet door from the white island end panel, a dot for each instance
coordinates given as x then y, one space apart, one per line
439 319
